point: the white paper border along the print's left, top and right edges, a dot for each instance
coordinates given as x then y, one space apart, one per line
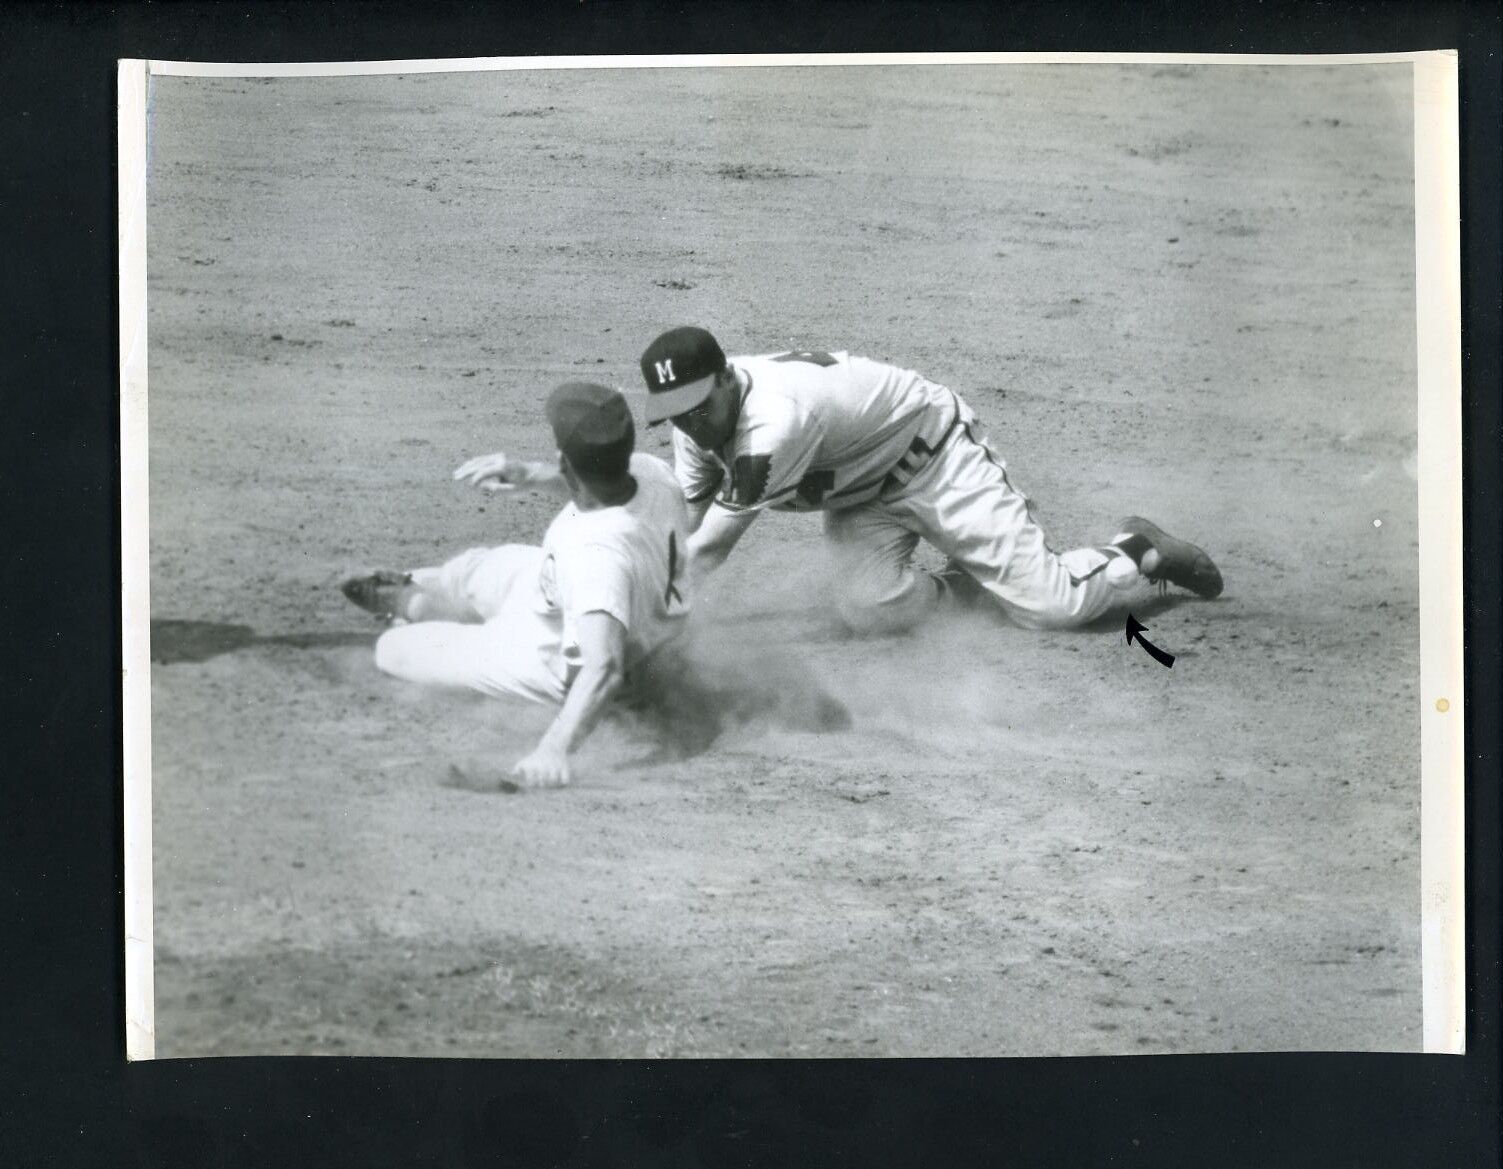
1438 247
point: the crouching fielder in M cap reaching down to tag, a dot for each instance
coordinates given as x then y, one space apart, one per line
891 459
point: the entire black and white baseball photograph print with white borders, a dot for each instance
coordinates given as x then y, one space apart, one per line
662 558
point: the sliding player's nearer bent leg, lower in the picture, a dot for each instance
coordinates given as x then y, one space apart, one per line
504 657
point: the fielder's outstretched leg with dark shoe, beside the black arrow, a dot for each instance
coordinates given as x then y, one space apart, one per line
966 506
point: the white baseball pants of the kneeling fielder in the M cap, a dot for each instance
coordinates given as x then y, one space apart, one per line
963 503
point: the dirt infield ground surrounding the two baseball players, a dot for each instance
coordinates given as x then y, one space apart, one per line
1170 291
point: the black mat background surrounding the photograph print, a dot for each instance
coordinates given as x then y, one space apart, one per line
67 1095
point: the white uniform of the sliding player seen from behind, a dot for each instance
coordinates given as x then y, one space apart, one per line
522 605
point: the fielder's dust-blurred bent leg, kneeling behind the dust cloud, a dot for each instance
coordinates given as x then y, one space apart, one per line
879 587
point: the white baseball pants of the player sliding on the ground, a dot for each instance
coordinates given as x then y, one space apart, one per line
479 624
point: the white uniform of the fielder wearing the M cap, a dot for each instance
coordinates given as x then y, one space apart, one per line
892 459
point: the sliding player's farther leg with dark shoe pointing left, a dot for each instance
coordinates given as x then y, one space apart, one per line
473 587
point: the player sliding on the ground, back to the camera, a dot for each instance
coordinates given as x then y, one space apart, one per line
567 623
